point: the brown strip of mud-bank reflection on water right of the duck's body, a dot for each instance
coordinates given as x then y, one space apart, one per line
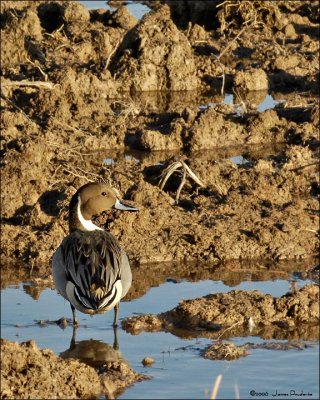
231 273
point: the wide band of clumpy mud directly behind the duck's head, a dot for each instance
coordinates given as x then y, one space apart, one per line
265 208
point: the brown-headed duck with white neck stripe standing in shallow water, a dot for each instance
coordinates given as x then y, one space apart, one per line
90 269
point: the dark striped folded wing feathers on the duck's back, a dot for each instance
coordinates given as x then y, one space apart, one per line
93 268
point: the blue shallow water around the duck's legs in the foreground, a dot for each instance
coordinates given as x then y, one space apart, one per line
179 371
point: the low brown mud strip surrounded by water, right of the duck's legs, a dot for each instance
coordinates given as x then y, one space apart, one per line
239 313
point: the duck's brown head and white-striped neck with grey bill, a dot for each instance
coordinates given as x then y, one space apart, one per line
92 199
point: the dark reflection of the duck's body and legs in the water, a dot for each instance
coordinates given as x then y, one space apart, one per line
93 352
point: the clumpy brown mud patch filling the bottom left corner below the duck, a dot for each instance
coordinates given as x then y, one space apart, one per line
30 373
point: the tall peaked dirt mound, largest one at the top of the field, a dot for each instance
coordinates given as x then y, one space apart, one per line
155 55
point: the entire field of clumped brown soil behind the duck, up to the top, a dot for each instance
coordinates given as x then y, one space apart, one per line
99 95
